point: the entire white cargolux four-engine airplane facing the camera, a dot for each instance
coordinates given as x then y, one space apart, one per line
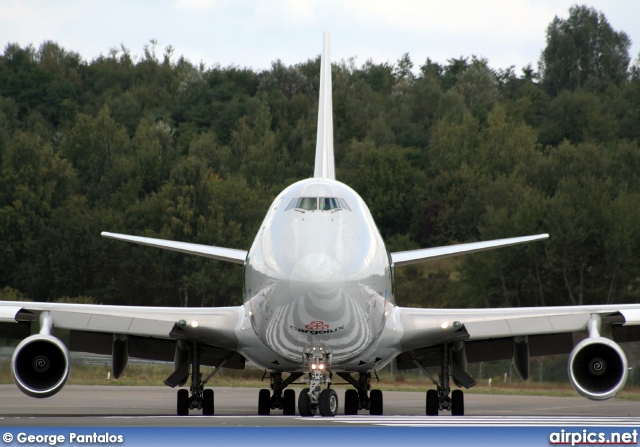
319 303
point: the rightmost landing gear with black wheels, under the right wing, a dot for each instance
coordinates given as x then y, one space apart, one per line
443 398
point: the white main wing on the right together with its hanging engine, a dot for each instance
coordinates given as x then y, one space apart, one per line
493 334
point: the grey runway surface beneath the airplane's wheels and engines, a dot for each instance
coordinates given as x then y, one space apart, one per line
132 406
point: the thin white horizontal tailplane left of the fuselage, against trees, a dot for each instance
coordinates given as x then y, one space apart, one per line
208 251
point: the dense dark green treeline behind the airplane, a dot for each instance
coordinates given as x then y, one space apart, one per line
442 153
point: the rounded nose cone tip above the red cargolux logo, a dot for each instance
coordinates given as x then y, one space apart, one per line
318 276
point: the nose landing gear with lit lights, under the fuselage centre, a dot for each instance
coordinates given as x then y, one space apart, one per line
314 399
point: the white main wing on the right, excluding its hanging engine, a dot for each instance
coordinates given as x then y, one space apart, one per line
494 329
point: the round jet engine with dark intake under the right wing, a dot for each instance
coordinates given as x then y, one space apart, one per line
597 368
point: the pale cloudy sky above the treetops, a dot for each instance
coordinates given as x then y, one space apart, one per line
253 34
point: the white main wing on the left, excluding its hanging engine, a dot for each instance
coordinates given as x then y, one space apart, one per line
152 331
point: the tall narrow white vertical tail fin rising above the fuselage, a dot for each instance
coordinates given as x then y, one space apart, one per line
324 167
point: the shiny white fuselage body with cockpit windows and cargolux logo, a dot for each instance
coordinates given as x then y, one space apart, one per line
317 276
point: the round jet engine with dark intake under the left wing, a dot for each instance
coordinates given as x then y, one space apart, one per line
40 365
